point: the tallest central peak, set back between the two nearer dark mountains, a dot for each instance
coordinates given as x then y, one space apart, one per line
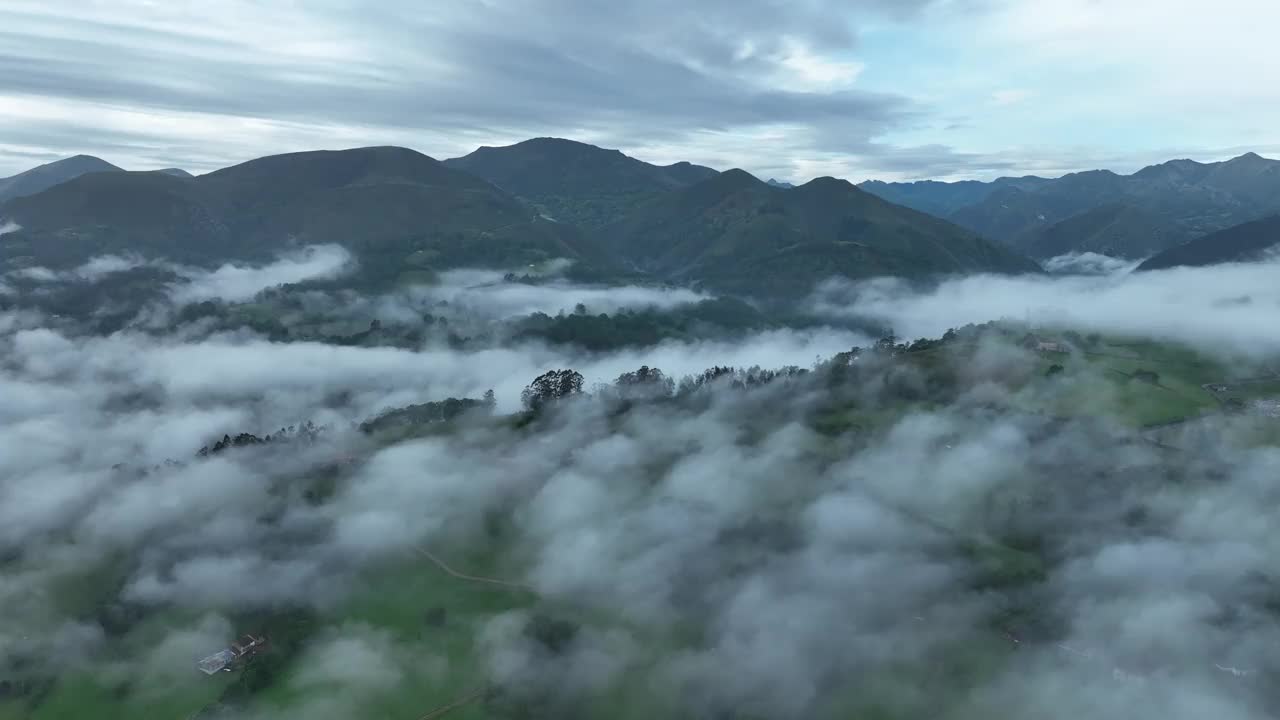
575 183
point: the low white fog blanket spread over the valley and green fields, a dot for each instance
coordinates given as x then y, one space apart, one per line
711 554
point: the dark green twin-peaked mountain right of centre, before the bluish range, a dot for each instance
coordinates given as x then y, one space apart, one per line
737 234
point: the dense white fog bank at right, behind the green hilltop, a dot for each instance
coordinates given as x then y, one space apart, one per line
1224 308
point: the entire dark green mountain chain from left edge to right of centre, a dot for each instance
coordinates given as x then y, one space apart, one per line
406 217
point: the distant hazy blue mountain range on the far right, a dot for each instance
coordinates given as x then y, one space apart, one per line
1167 204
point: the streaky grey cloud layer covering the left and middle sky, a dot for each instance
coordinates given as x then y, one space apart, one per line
630 75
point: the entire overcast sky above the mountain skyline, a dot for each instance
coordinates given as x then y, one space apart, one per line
789 89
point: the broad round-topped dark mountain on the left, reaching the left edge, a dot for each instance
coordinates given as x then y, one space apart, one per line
399 211
